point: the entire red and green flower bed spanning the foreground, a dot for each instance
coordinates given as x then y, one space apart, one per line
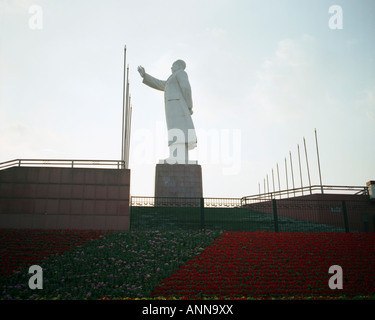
186 265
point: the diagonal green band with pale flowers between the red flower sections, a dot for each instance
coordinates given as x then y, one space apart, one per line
118 264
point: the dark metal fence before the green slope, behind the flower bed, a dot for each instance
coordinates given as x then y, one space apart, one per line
148 213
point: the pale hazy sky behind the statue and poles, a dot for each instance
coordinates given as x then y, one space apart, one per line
264 74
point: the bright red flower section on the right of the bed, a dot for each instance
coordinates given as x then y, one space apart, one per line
264 265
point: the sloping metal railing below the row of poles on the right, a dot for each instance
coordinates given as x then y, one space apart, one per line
304 191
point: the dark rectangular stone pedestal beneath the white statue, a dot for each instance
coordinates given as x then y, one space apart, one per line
178 181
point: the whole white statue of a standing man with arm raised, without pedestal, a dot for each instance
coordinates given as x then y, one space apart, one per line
178 111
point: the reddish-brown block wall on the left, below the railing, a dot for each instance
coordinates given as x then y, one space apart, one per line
64 198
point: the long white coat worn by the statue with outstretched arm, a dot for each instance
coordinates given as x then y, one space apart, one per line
178 103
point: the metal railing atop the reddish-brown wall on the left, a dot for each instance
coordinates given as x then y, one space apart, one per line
113 164
